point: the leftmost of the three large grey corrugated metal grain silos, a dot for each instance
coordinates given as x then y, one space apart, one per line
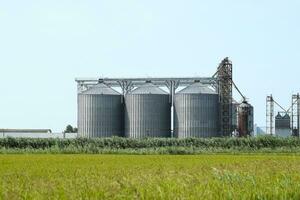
100 112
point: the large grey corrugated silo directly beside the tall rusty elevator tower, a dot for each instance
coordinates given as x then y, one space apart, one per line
196 112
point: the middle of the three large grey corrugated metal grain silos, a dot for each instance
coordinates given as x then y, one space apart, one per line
147 112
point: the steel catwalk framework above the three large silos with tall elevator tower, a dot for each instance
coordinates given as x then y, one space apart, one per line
221 82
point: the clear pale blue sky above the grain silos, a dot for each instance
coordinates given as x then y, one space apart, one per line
44 45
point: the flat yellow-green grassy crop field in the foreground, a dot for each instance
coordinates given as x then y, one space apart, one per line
149 177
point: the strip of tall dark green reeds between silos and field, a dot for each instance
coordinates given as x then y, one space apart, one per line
150 145
